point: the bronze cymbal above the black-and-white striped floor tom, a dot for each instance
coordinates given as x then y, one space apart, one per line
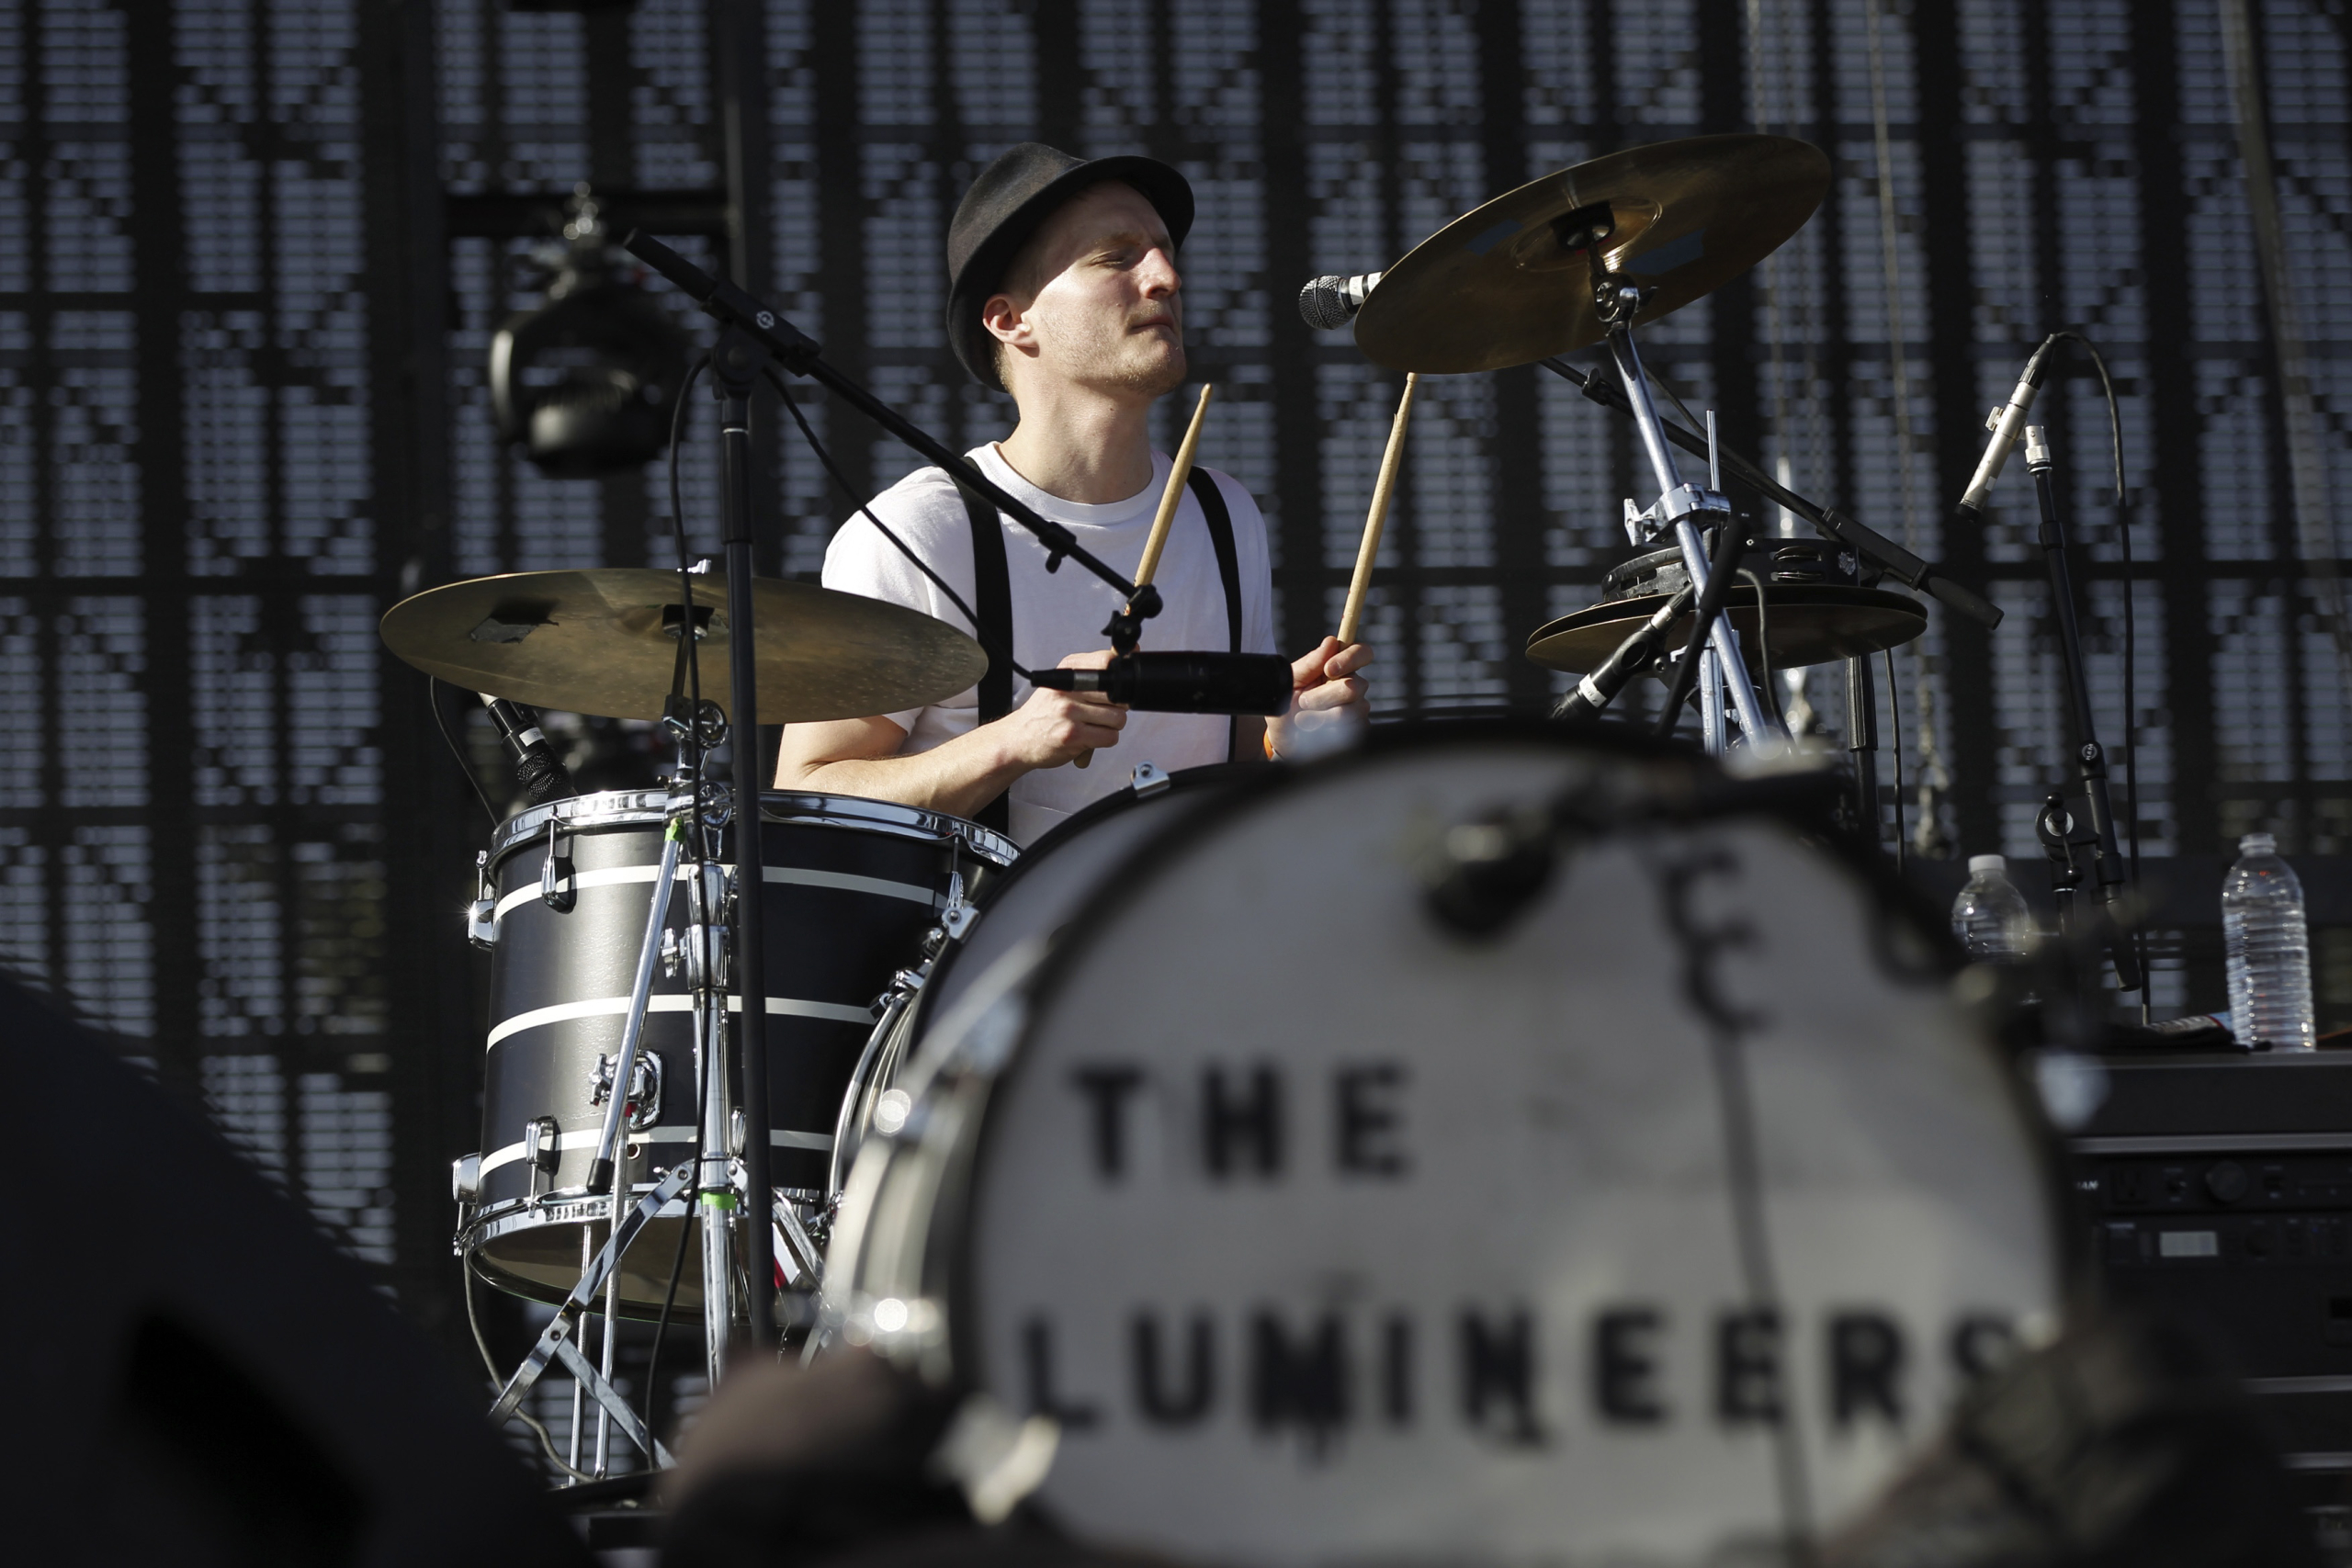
608 643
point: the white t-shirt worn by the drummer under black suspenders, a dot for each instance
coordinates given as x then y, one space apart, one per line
1064 612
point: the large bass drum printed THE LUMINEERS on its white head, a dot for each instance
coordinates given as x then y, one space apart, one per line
1657 1224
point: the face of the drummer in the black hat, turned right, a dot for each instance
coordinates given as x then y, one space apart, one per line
1093 300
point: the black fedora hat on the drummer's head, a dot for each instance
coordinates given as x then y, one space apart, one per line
1003 210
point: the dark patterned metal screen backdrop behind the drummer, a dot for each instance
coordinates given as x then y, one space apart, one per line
243 410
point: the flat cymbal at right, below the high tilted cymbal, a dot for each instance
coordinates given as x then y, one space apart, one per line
1810 626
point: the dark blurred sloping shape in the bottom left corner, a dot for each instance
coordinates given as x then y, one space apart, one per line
208 1379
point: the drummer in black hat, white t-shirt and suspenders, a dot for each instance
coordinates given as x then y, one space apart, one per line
1064 293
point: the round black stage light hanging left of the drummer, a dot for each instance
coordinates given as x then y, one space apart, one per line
587 382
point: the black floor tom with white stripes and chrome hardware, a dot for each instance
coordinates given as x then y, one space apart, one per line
850 890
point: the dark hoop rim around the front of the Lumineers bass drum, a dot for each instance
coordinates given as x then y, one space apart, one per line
961 1144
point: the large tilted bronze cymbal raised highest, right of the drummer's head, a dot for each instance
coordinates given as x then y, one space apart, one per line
1502 288
